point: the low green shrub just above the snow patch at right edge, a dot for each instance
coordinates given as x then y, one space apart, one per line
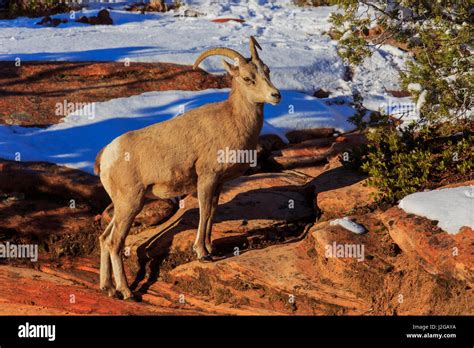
404 161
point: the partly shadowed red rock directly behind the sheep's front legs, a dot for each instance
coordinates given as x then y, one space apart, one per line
254 211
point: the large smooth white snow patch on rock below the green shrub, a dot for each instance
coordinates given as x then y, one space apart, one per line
453 208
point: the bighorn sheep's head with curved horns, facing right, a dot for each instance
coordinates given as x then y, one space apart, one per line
251 75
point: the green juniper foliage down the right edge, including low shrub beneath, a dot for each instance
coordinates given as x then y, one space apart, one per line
439 35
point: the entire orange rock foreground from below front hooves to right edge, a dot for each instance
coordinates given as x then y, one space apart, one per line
301 277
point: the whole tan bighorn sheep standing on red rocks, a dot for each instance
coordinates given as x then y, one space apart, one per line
179 156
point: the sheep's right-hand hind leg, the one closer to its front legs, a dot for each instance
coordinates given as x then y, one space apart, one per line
124 215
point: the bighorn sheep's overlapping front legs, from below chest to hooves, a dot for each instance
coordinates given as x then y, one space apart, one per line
206 189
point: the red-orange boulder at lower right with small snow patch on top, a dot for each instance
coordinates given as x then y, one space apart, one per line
373 266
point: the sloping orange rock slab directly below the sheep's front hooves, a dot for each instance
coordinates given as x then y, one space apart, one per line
279 279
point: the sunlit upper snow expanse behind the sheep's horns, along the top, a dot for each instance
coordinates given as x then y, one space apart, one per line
295 46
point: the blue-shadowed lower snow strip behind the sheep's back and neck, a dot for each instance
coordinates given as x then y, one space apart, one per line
76 141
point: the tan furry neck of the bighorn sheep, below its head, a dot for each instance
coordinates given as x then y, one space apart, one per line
247 115
